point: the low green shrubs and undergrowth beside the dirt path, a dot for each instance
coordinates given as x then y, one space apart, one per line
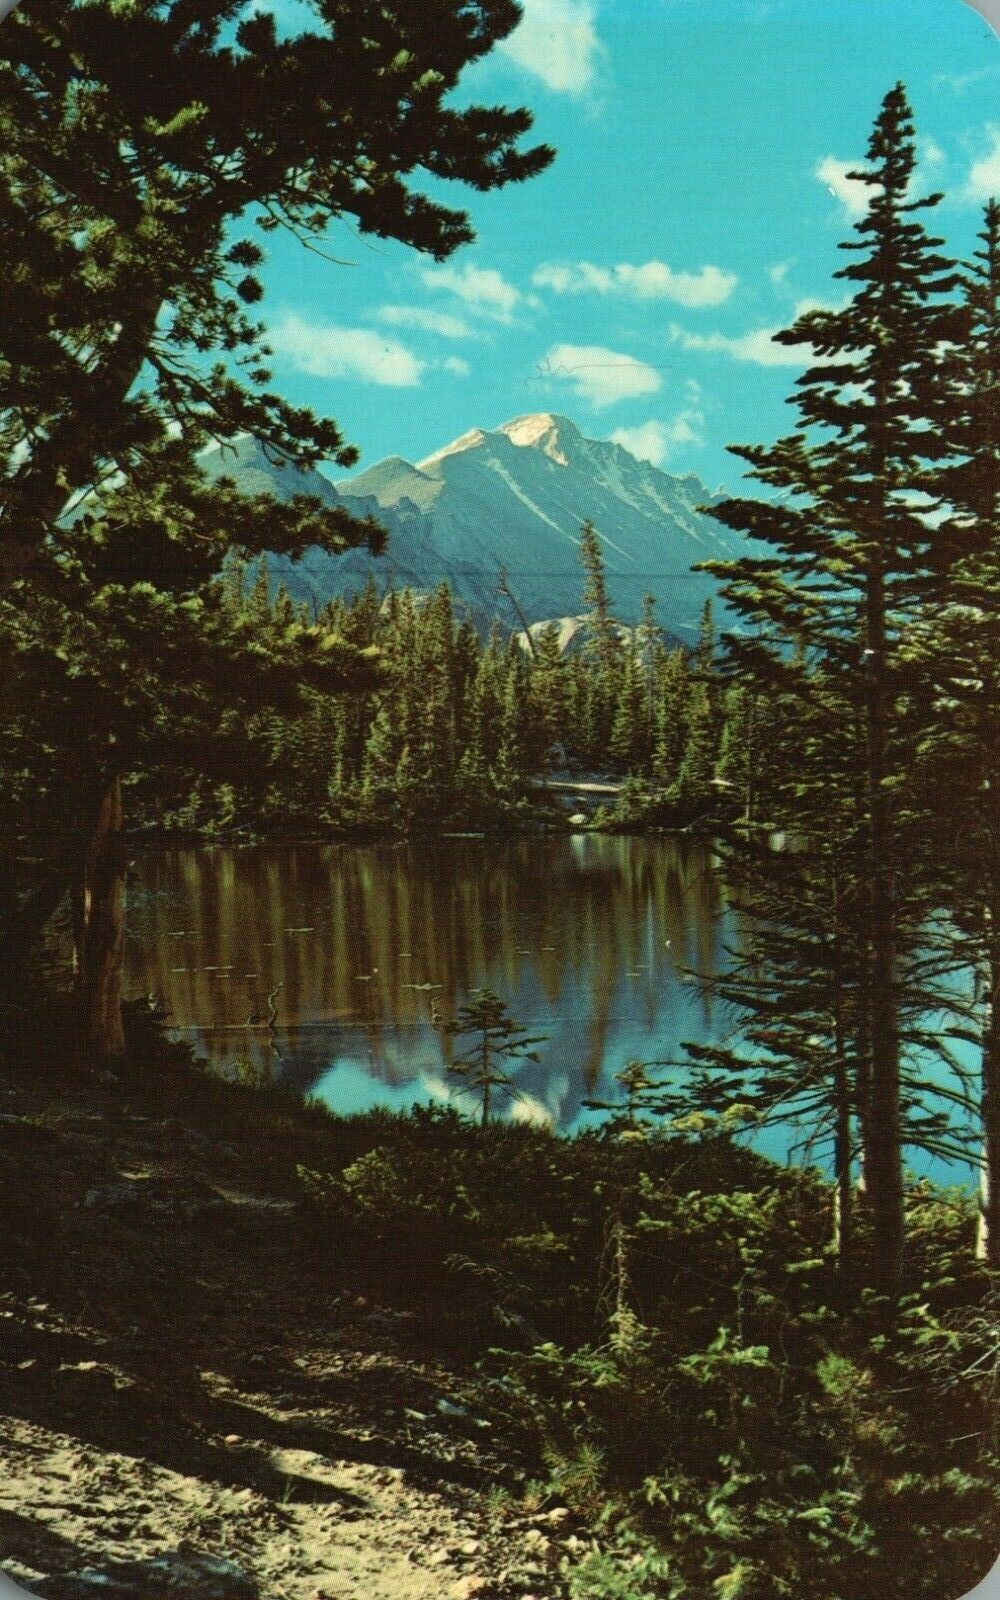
663 1335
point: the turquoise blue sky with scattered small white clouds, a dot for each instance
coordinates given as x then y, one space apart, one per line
697 201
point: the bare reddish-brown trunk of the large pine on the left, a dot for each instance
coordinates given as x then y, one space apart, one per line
100 930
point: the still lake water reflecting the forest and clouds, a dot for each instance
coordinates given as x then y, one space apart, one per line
590 942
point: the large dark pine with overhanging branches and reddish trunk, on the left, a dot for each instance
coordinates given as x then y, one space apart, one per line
127 186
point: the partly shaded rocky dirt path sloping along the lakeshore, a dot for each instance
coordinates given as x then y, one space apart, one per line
193 1402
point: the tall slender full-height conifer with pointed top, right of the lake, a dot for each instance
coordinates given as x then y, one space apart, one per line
854 559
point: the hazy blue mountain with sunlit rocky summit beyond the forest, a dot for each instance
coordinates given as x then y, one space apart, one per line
511 500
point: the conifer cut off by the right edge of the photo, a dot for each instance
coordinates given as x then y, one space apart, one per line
956 655
